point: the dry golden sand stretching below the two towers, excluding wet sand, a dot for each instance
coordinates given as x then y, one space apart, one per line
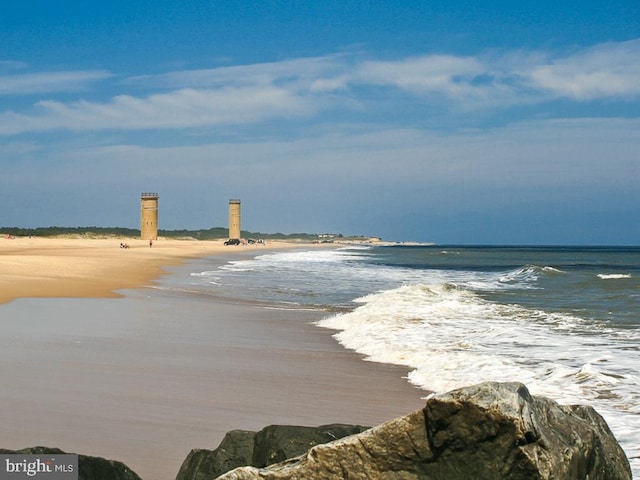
55 267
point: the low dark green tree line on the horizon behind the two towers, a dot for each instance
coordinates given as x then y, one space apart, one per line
202 234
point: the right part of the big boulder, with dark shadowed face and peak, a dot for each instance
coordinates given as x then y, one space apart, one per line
504 432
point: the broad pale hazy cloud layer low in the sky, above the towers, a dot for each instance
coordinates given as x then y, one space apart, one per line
579 152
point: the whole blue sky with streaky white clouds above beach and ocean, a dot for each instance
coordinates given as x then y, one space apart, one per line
466 122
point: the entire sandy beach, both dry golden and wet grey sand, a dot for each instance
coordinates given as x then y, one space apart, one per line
146 377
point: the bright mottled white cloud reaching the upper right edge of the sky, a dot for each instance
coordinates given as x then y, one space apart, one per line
499 79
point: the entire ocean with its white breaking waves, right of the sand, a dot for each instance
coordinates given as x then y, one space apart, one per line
565 321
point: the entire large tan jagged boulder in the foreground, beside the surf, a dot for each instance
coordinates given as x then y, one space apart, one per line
492 431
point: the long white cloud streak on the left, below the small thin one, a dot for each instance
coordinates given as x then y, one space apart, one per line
179 109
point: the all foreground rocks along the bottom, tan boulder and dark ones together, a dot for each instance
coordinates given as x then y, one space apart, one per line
490 431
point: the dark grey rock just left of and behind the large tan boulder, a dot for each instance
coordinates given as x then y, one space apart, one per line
270 445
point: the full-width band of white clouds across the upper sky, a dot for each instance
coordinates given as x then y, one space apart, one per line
249 94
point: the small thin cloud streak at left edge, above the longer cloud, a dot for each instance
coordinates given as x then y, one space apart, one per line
49 82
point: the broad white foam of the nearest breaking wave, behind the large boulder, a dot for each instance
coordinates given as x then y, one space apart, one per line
449 337
